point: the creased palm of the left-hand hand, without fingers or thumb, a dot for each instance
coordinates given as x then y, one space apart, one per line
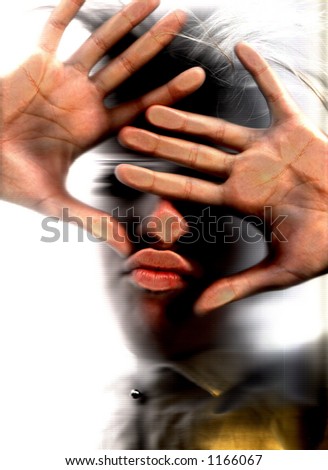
46 126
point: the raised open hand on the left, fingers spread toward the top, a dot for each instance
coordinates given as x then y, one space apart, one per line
52 112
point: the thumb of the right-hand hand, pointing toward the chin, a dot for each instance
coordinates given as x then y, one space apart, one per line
264 276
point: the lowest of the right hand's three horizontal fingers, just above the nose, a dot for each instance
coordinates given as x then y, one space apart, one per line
170 185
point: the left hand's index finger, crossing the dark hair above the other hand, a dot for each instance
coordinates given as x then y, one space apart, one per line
184 84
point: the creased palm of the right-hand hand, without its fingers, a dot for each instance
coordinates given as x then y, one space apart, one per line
277 180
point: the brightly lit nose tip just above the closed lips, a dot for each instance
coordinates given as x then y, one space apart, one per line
164 226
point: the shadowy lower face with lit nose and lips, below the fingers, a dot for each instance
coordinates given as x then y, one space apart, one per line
180 249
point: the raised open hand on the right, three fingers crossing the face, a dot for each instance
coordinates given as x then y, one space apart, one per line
280 173
